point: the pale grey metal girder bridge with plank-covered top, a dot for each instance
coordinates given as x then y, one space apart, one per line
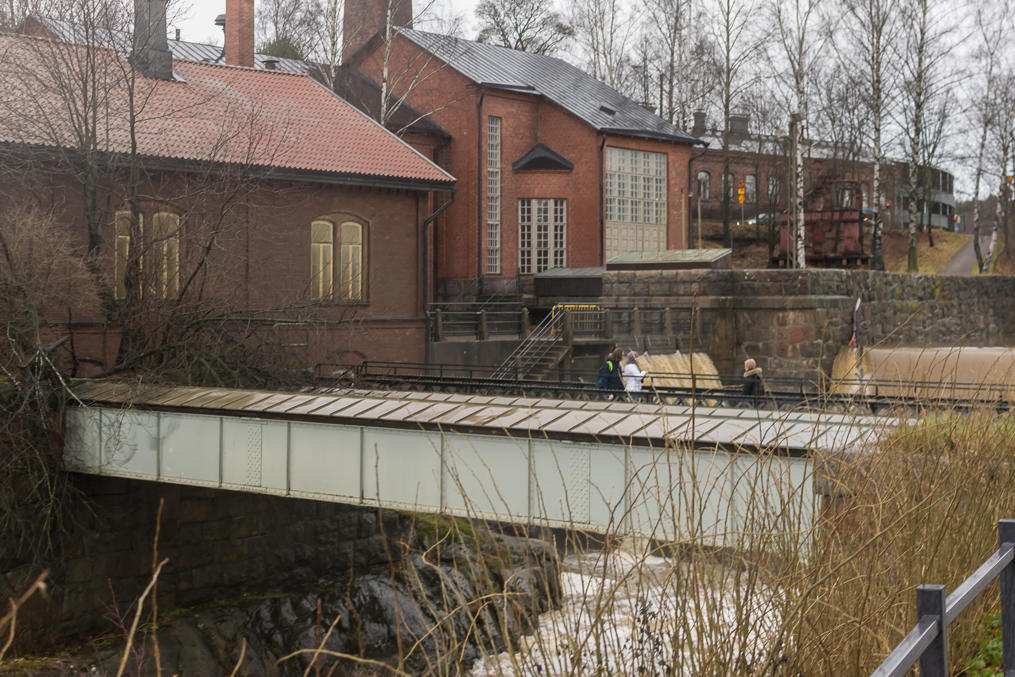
663 471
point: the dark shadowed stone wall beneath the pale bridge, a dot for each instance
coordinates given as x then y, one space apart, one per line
226 546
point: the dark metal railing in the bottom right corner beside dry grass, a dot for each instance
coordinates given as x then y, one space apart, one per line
928 642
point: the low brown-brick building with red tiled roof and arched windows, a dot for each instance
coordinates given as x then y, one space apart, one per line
259 192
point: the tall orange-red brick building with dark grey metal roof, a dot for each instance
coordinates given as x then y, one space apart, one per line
556 168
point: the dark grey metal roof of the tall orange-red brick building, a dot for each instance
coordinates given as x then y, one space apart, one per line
596 103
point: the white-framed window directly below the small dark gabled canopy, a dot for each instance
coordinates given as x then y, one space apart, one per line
543 237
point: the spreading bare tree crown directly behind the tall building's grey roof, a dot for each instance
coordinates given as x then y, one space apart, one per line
530 26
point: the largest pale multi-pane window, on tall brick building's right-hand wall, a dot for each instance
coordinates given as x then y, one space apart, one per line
636 201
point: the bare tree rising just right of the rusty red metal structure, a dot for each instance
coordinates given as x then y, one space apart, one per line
873 29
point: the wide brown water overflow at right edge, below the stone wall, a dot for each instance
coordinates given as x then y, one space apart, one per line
946 372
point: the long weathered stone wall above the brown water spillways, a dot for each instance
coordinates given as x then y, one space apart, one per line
795 323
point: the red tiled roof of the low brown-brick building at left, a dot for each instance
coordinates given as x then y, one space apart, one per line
215 113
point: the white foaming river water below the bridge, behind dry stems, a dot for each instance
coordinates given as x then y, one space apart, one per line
624 616
